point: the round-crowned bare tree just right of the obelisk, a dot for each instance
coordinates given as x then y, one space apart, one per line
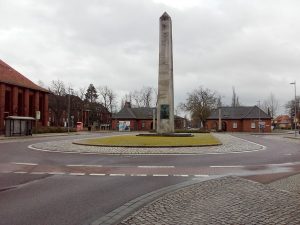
200 103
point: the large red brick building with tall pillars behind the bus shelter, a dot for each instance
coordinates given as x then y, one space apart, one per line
20 97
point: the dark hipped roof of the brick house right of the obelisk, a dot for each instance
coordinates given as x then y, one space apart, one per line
240 112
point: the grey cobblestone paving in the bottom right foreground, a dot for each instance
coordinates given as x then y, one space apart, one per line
225 201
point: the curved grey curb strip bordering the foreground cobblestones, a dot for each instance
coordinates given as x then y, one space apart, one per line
132 206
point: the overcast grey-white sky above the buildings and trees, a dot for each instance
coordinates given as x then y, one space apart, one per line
251 45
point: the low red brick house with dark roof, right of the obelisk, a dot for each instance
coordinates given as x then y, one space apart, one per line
240 119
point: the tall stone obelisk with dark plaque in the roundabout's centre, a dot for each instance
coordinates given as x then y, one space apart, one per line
165 103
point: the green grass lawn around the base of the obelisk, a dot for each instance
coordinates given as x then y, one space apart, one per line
150 141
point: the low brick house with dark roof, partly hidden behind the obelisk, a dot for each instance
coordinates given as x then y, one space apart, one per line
140 119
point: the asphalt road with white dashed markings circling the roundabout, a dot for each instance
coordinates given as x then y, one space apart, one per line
83 188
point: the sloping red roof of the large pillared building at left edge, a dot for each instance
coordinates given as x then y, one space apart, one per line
9 75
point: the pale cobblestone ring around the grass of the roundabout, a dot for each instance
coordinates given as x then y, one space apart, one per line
230 144
